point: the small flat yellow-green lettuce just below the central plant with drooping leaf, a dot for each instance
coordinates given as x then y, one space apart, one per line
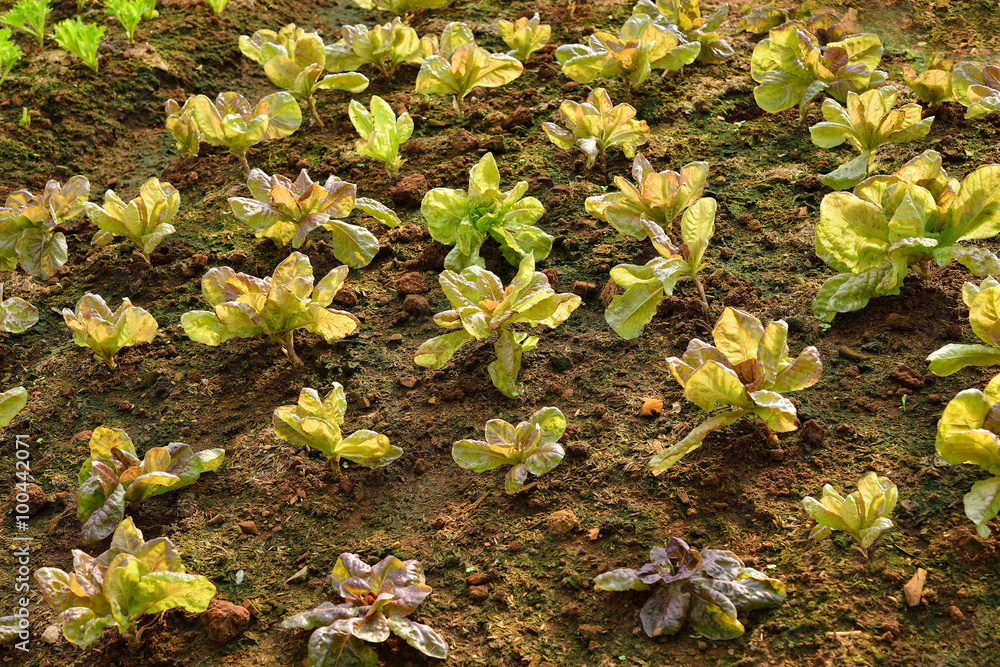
531 446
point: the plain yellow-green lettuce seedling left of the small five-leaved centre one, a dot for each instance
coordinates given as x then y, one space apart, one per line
316 423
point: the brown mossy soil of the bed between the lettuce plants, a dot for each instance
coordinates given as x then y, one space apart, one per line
535 604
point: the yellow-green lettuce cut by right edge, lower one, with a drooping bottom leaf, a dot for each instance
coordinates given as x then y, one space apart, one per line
968 433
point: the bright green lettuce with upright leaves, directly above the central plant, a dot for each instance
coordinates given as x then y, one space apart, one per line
463 219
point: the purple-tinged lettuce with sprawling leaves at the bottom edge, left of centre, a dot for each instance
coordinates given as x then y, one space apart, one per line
377 601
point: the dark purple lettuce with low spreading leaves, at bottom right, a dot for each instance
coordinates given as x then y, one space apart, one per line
706 588
